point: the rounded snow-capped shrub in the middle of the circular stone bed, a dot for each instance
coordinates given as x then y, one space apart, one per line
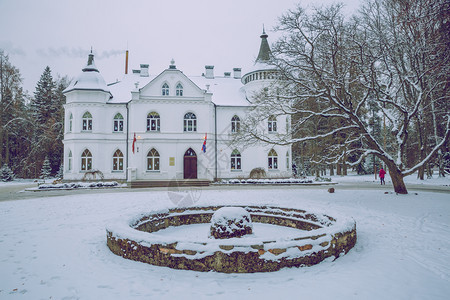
230 222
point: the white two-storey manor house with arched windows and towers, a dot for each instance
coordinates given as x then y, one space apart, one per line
153 127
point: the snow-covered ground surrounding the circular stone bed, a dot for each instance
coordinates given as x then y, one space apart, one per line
55 248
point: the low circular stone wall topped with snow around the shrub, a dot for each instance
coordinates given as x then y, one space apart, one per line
316 237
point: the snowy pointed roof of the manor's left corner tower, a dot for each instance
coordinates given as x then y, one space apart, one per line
89 86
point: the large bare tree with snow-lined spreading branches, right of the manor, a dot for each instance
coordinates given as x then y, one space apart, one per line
340 70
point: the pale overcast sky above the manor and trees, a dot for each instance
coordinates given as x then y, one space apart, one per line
195 33
